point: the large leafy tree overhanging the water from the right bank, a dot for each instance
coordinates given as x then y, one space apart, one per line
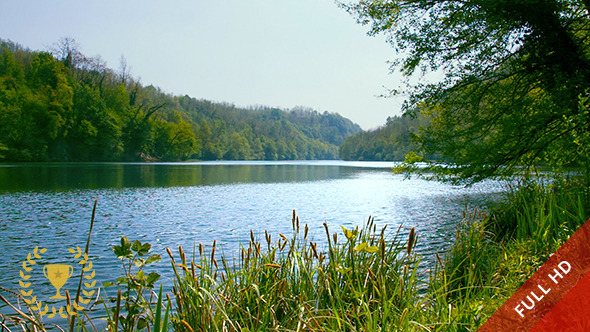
513 72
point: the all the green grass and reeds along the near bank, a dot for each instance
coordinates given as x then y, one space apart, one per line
363 279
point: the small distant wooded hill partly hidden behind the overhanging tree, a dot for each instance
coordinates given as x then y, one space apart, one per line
390 142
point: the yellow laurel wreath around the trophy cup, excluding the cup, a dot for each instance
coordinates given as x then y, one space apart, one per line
69 309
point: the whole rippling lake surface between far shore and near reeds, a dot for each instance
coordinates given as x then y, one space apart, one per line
172 204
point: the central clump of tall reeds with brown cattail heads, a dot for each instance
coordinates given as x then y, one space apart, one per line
362 281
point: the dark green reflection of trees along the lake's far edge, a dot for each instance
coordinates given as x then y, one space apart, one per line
68 176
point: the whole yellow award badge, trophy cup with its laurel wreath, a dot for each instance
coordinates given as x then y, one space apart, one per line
58 275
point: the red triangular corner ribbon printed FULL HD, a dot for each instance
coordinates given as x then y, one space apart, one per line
556 297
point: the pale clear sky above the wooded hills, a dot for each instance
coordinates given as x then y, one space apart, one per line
277 53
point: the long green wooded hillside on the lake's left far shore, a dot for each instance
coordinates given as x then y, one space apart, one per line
64 106
